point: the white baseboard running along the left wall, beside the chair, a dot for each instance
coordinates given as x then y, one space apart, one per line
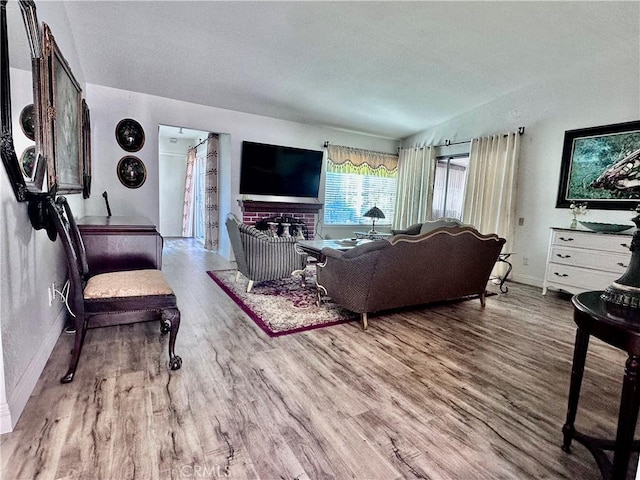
17 399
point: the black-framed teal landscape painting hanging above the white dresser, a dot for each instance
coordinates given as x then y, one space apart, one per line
601 167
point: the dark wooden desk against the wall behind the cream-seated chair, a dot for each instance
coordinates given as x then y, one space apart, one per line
120 243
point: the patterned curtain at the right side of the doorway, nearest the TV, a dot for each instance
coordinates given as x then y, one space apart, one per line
211 222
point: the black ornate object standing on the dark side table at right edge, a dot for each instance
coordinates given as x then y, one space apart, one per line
625 292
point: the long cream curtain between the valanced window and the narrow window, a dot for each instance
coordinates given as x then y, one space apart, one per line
414 194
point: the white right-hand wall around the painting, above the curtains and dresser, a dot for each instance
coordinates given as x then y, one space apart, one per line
602 93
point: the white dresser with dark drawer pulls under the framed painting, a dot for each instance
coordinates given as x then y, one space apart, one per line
580 260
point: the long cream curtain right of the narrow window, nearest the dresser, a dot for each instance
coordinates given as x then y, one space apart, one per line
490 200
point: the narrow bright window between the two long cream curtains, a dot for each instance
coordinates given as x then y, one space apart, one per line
449 187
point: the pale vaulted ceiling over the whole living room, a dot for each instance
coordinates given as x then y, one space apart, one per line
383 68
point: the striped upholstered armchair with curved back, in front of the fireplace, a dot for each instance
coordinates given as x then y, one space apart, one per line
261 257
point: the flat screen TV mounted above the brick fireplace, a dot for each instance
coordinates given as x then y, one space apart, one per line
281 171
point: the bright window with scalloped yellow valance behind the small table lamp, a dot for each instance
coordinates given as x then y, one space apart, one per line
356 180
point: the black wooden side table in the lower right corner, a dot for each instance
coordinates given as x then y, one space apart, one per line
619 327
